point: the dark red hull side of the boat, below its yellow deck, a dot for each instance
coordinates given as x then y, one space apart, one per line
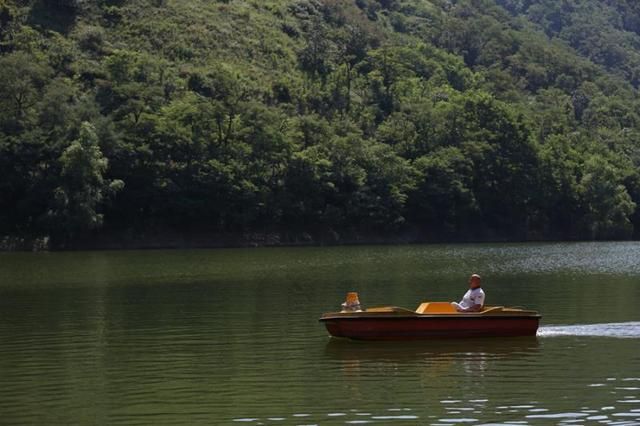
415 327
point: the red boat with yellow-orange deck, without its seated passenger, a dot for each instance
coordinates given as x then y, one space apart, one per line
430 320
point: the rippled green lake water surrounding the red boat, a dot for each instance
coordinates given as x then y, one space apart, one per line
226 337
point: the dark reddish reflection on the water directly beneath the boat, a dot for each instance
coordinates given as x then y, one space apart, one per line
488 348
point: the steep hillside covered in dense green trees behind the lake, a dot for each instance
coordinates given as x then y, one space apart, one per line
320 119
